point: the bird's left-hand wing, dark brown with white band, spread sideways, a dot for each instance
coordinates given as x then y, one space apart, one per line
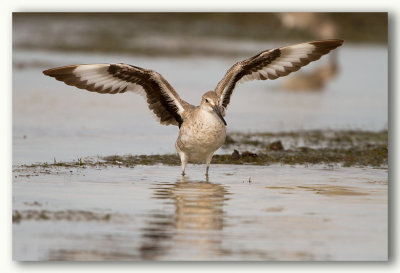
119 78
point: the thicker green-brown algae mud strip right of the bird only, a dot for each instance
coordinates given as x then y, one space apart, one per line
346 147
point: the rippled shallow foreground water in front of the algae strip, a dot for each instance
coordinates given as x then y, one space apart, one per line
240 213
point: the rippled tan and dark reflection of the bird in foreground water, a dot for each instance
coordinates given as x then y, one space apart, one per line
194 224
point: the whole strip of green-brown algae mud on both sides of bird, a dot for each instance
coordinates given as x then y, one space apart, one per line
348 148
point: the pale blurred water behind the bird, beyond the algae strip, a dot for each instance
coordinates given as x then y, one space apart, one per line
63 122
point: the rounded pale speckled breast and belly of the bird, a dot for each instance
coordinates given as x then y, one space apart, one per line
200 137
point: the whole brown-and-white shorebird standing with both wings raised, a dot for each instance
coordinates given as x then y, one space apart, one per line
202 129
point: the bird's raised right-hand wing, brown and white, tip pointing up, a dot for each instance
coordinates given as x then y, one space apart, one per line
272 64
